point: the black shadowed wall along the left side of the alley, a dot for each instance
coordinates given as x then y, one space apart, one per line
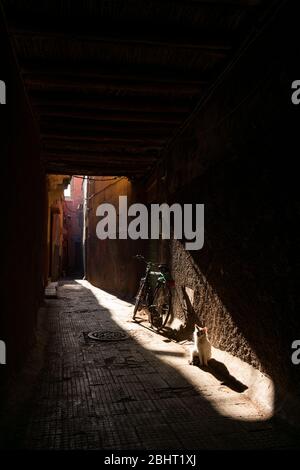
23 209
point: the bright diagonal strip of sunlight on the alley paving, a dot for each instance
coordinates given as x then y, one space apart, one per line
223 399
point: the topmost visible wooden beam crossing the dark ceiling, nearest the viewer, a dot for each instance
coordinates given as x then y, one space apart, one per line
117 34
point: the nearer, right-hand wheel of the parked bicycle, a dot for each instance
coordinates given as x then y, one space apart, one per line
161 306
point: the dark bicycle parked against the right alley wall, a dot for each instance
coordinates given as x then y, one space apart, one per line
157 301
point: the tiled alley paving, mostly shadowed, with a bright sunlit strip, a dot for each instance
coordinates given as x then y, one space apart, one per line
139 393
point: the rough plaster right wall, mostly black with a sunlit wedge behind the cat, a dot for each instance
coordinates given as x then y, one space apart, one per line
237 156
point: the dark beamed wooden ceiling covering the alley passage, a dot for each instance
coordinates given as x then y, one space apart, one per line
111 81
